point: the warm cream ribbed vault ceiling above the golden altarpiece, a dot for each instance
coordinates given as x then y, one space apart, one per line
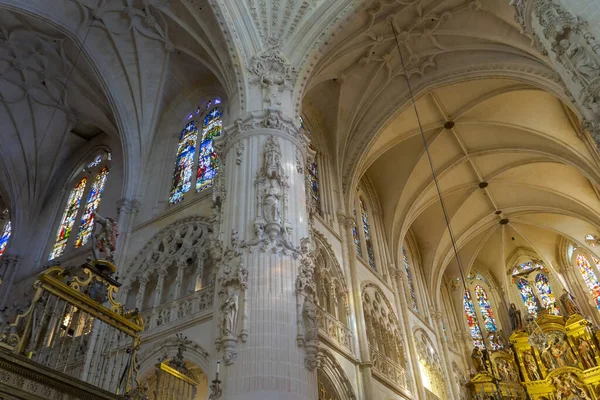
520 141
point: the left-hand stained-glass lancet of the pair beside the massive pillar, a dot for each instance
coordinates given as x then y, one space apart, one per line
186 149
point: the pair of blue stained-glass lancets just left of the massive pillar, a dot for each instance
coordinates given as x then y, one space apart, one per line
212 124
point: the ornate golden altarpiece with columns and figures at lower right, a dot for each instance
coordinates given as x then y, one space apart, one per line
566 366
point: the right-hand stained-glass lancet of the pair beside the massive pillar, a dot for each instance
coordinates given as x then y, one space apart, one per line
207 160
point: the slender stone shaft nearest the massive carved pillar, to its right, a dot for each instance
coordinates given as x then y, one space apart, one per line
360 328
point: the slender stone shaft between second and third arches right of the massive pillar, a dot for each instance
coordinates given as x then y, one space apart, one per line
413 361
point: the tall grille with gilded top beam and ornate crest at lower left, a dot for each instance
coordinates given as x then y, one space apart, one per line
75 326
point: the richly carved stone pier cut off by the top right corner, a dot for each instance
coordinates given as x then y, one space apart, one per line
564 30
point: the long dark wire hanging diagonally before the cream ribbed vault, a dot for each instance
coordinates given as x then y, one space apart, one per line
435 179
